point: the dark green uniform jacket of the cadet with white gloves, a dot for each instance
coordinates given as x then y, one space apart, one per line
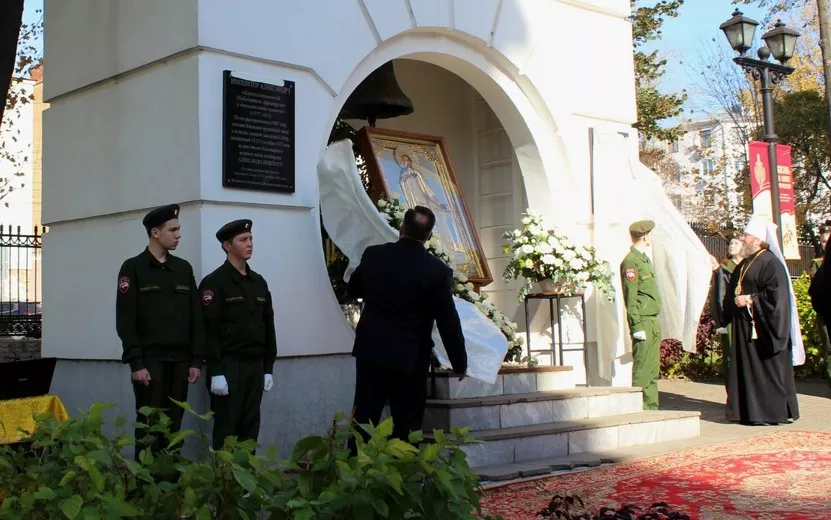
239 317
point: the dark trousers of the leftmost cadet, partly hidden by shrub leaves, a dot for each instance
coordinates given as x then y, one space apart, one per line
168 380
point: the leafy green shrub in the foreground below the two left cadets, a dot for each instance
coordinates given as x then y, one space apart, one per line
72 470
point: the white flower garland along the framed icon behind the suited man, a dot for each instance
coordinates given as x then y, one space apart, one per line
393 212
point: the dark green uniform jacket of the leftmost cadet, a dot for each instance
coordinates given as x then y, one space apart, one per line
157 311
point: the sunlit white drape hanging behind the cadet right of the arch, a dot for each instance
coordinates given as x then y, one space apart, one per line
626 191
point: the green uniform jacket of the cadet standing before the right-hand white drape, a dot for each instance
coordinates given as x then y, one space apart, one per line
640 291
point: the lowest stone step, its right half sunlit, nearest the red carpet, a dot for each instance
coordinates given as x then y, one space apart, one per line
547 441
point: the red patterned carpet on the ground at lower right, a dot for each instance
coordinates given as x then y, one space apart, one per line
779 475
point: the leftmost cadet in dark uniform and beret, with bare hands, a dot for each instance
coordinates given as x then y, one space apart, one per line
159 321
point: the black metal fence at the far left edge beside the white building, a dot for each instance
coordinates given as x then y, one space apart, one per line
21 312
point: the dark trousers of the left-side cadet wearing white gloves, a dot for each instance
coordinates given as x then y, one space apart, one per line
238 413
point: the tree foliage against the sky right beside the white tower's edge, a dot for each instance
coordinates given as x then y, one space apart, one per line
654 107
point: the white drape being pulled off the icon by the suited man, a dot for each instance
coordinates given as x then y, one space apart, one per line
353 223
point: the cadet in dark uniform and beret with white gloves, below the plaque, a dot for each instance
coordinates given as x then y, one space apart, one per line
241 344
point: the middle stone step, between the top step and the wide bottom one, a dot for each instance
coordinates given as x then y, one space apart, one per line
507 411
